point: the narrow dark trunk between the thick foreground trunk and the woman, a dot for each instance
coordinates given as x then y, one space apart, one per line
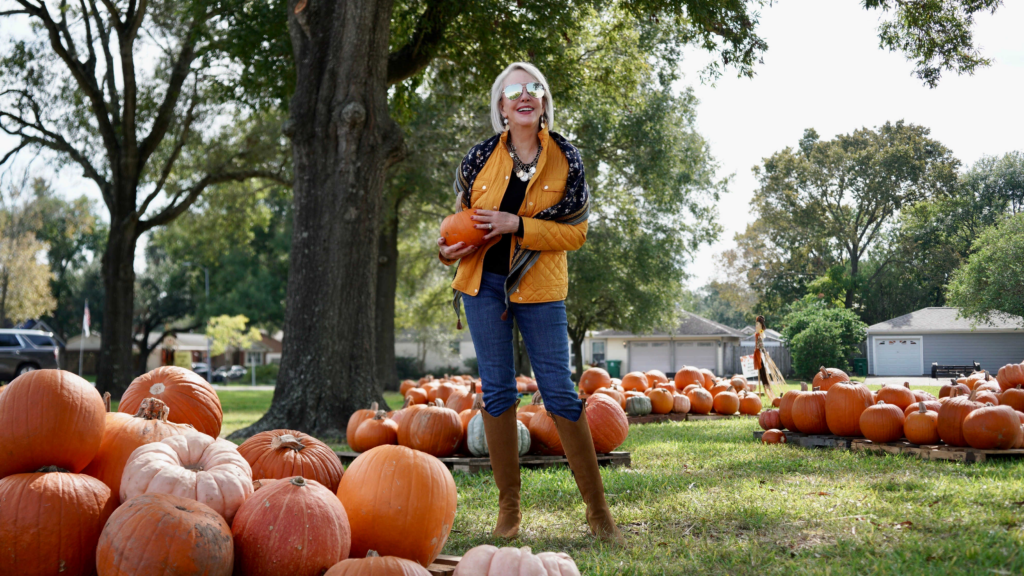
388 280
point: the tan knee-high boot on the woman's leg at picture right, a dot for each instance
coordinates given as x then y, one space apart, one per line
583 461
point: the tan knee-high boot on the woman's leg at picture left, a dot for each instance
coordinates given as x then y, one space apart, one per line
503 447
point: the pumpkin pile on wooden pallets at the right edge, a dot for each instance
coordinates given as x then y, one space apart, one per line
976 412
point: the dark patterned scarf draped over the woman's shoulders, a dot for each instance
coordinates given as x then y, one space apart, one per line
572 210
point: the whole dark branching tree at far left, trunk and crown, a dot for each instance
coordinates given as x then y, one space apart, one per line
150 139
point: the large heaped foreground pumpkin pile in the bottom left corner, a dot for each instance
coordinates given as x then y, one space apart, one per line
152 490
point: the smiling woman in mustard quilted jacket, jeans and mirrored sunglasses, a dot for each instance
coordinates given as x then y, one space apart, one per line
530 194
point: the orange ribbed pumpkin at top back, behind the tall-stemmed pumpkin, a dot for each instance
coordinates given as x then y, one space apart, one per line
192 400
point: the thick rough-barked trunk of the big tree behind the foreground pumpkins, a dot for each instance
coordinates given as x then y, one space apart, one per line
343 141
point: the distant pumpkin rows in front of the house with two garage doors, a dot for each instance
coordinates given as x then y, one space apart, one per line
693 390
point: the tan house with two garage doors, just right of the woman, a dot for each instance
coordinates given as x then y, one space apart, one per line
697 342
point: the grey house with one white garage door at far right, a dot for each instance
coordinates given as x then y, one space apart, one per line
909 345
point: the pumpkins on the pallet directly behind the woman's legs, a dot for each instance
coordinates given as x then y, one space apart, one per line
443 419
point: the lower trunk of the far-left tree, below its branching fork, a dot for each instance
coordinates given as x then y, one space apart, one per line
116 372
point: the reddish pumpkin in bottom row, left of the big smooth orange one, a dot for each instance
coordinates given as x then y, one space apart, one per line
292 528
